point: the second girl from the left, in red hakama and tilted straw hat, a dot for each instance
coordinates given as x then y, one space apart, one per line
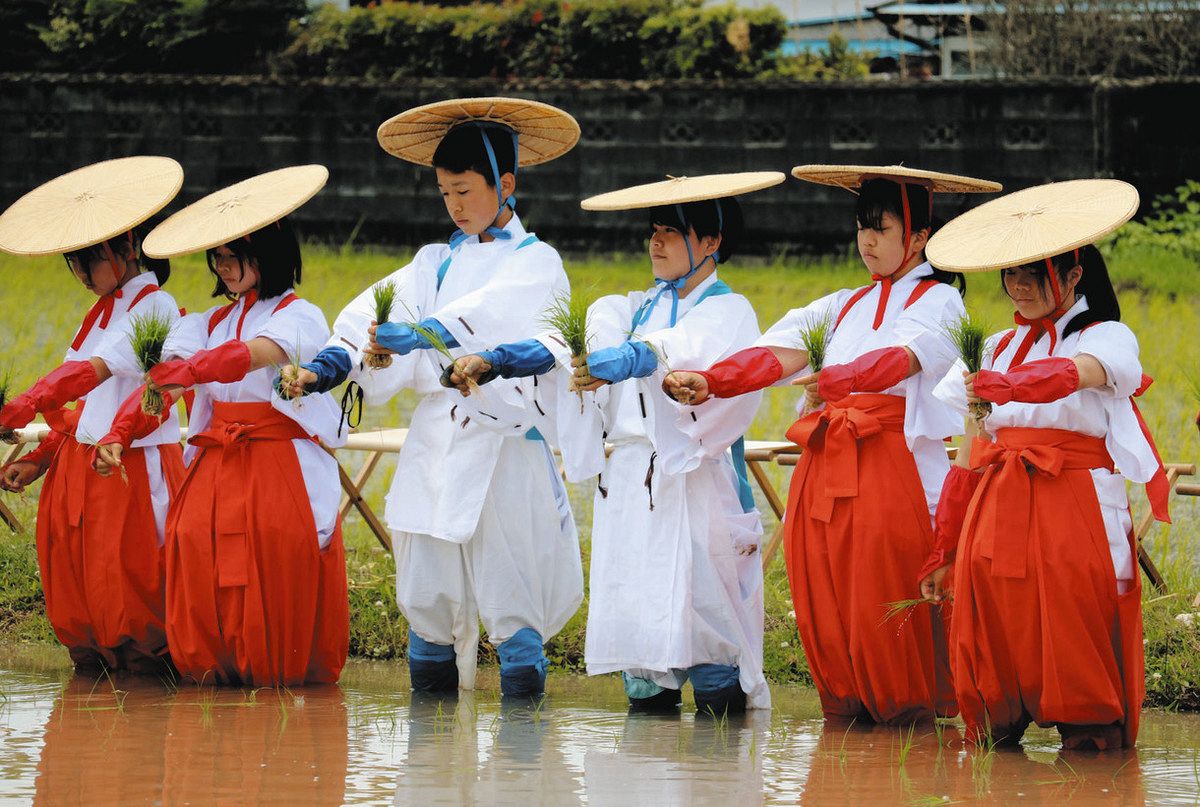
256 577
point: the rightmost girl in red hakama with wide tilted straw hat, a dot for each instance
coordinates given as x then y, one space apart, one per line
1047 596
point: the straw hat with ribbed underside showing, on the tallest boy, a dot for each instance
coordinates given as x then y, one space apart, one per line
544 133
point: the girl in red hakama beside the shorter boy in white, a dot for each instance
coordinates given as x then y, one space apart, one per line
859 522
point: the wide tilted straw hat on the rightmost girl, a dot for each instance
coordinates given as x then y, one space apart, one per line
1035 224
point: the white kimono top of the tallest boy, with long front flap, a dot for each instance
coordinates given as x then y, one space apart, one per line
491 294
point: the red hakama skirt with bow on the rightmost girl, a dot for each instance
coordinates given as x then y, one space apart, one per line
1040 631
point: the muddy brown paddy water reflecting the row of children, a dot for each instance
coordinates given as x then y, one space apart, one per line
69 740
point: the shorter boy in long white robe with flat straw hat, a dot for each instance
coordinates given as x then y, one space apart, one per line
676 576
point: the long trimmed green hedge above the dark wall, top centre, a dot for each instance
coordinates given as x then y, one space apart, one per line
531 39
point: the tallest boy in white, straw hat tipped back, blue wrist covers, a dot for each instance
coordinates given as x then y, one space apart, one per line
482 525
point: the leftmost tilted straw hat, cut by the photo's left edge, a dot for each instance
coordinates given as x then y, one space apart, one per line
89 206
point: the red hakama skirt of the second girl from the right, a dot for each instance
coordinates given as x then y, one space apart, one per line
857 534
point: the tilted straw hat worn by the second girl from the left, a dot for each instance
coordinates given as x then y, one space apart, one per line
235 212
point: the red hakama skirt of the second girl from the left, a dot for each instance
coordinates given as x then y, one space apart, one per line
251 597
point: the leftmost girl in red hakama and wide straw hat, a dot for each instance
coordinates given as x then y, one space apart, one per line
100 541
